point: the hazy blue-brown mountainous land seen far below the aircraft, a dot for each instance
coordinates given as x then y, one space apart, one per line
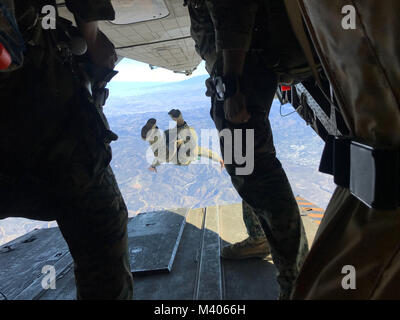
132 103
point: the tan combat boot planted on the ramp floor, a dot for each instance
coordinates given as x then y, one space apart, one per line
249 248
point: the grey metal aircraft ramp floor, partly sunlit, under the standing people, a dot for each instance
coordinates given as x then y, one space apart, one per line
175 255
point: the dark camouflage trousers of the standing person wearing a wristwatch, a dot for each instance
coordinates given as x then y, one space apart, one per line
266 190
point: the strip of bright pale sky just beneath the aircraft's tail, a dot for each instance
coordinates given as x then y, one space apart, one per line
131 70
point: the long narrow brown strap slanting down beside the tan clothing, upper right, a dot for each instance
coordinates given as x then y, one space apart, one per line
296 19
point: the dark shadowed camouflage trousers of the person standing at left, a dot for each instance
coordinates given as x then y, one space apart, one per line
55 166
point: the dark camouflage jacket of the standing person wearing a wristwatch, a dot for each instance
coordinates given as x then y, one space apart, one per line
221 24
